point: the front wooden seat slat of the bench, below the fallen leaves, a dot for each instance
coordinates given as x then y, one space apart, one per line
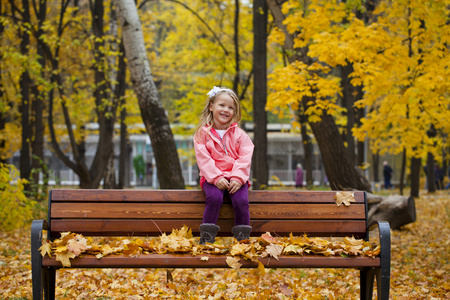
215 261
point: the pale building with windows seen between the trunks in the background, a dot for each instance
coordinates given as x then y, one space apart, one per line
284 152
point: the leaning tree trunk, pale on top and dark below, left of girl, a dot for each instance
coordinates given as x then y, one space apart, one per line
152 111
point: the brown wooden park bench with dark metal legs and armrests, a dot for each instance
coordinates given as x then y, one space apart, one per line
146 212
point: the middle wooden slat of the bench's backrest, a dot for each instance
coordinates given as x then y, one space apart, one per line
195 211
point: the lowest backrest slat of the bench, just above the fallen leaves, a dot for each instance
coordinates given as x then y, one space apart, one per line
141 227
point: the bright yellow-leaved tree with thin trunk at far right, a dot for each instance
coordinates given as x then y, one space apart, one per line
399 60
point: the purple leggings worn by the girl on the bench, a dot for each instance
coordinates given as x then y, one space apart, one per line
214 201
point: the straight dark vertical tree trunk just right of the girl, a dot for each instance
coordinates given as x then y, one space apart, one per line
260 168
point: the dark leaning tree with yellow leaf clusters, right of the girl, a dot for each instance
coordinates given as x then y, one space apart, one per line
309 84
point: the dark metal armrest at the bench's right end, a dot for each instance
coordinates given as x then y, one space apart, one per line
385 245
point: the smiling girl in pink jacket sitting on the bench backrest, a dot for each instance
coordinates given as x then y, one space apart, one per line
224 154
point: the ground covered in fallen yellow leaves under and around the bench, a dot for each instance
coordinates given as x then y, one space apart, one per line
420 270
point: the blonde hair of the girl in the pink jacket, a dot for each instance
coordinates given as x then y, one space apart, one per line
206 117
